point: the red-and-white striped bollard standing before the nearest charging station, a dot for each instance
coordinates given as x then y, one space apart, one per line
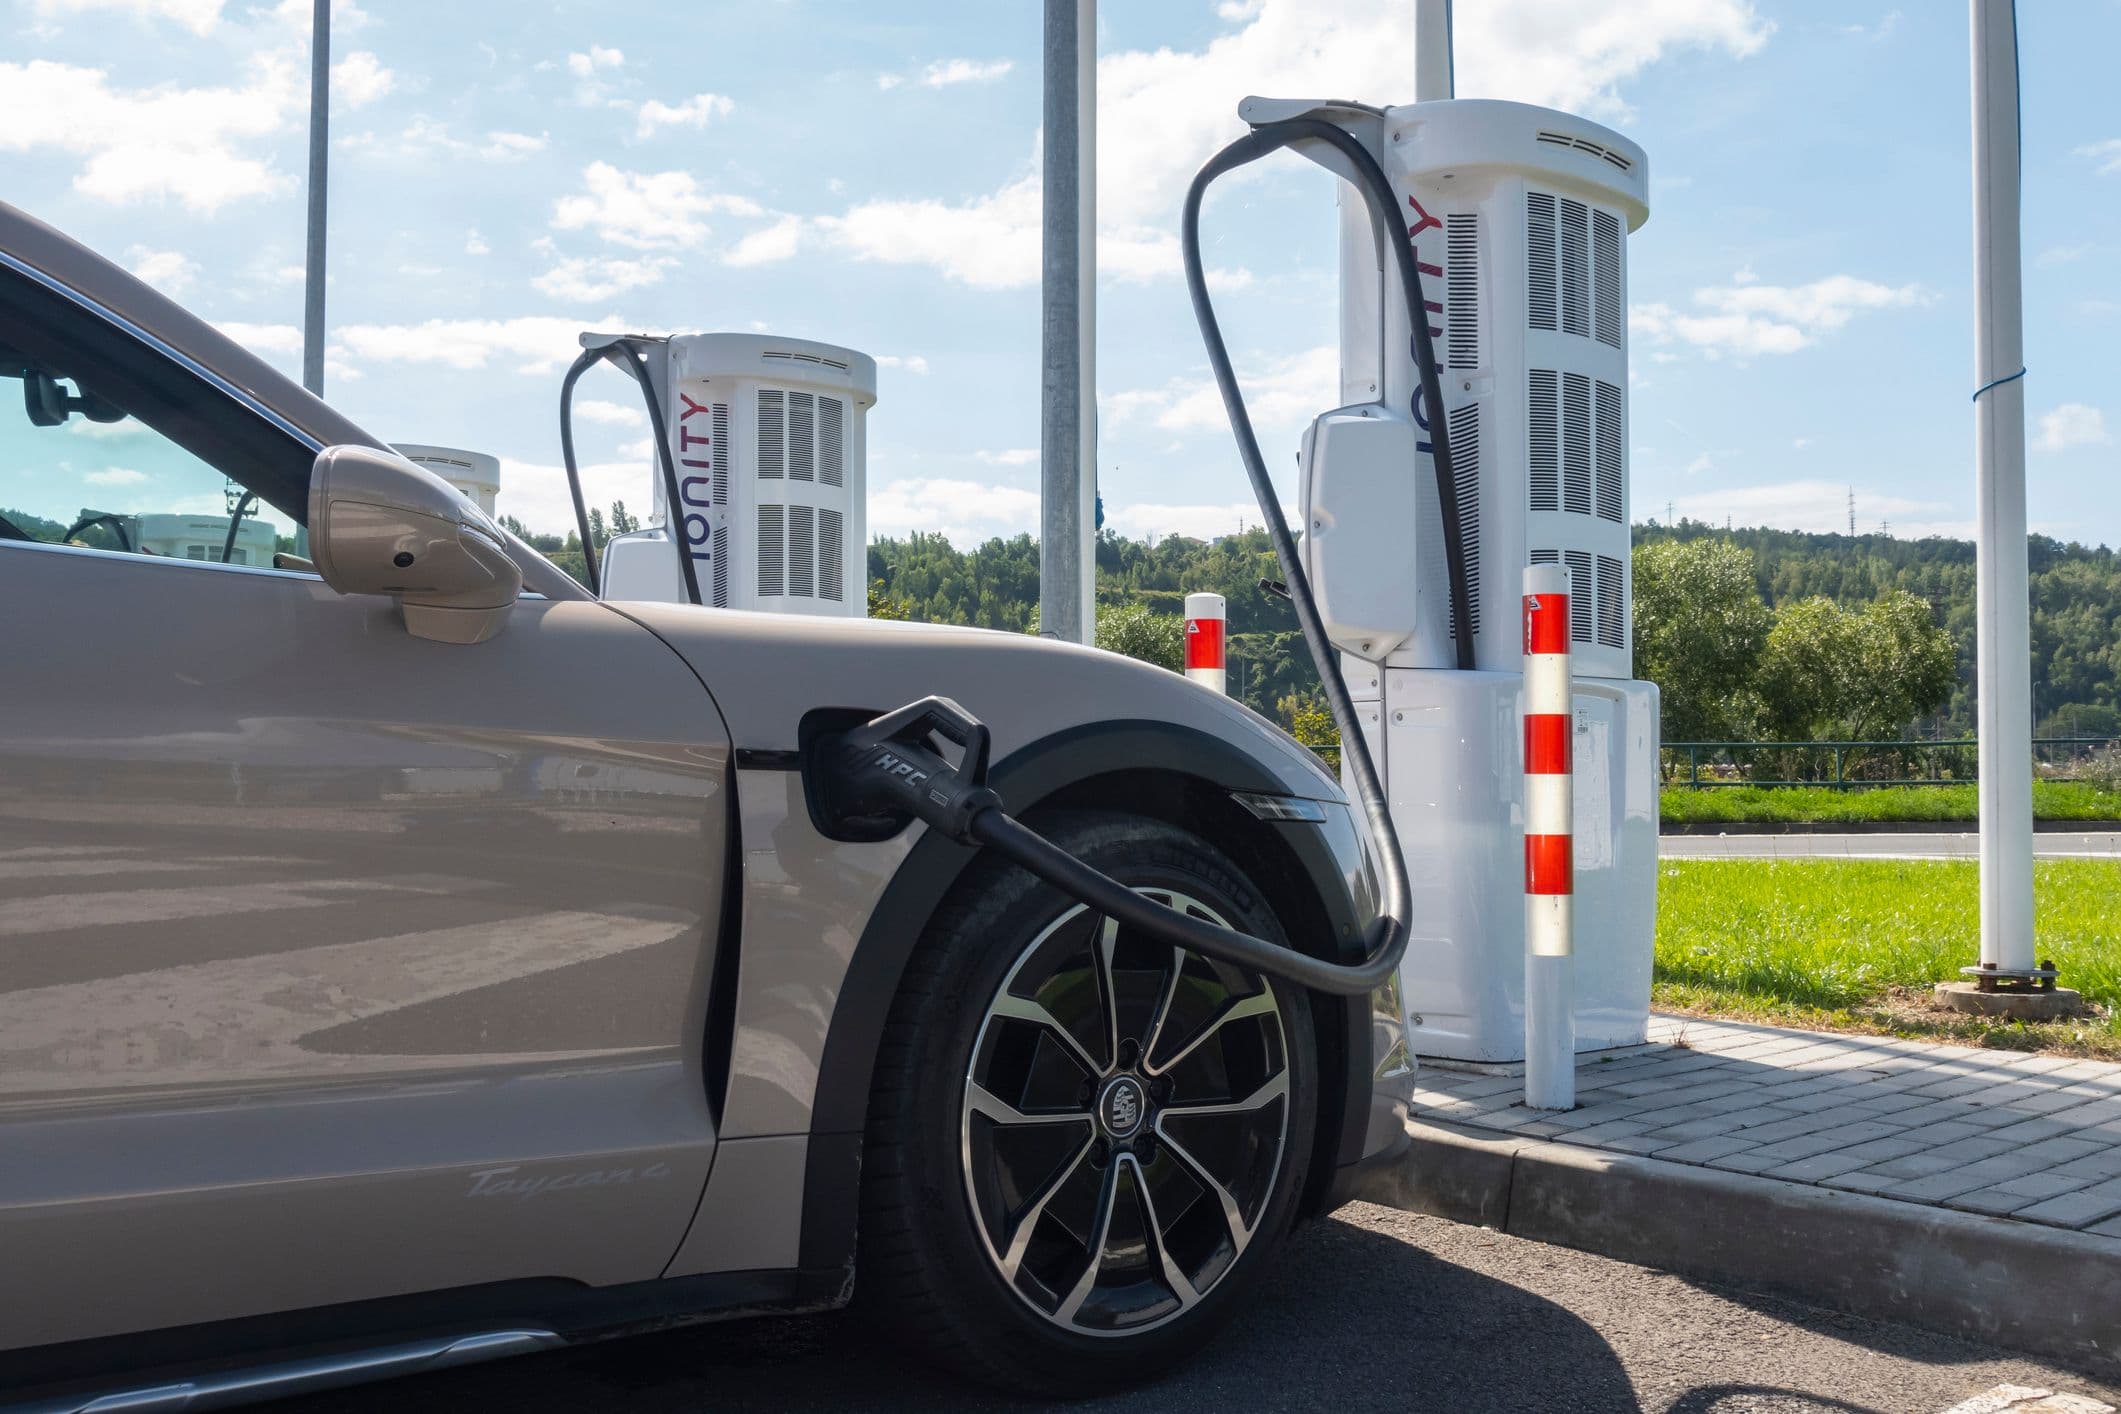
1549 830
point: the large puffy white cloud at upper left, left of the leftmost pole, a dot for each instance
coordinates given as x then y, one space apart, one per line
152 143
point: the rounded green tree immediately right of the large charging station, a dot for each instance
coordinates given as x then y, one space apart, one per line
1700 629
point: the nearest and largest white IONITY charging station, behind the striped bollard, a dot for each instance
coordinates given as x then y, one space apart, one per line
1520 222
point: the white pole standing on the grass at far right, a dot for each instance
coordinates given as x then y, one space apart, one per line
2001 607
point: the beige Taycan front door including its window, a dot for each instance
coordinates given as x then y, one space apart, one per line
334 964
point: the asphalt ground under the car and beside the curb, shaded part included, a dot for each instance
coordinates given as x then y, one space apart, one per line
1367 1311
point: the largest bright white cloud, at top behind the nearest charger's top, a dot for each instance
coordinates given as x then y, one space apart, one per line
1161 113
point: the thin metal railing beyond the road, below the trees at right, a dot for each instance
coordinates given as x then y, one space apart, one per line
1855 766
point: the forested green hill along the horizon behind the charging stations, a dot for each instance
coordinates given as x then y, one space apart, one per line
2075 601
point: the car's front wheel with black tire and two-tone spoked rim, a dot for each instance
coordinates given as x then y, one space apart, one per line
930 1250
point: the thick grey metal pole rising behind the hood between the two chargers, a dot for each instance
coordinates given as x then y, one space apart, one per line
1068 421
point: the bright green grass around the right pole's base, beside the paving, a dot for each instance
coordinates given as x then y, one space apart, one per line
1857 944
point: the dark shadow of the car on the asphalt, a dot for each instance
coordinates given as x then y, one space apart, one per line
1346 1320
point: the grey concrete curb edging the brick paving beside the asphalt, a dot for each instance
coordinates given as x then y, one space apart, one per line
2020 1286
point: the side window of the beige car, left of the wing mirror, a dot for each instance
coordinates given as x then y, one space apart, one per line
77 470
